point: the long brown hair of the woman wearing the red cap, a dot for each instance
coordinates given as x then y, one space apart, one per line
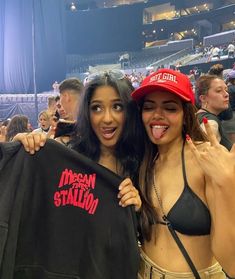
148 214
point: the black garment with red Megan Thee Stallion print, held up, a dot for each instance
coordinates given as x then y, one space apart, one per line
60 217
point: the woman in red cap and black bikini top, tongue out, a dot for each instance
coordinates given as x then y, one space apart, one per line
188 182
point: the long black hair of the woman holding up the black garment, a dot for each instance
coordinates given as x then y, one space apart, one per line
129 148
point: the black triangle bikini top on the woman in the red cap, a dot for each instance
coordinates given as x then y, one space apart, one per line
189 215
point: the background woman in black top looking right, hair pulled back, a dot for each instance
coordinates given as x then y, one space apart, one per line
212 95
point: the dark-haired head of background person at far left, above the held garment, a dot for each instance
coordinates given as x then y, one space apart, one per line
18 124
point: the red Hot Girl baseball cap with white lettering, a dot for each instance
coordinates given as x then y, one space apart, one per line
166 80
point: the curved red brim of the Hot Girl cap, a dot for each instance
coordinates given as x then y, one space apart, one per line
142 91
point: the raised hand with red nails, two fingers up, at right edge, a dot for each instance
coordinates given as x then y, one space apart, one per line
215 160
